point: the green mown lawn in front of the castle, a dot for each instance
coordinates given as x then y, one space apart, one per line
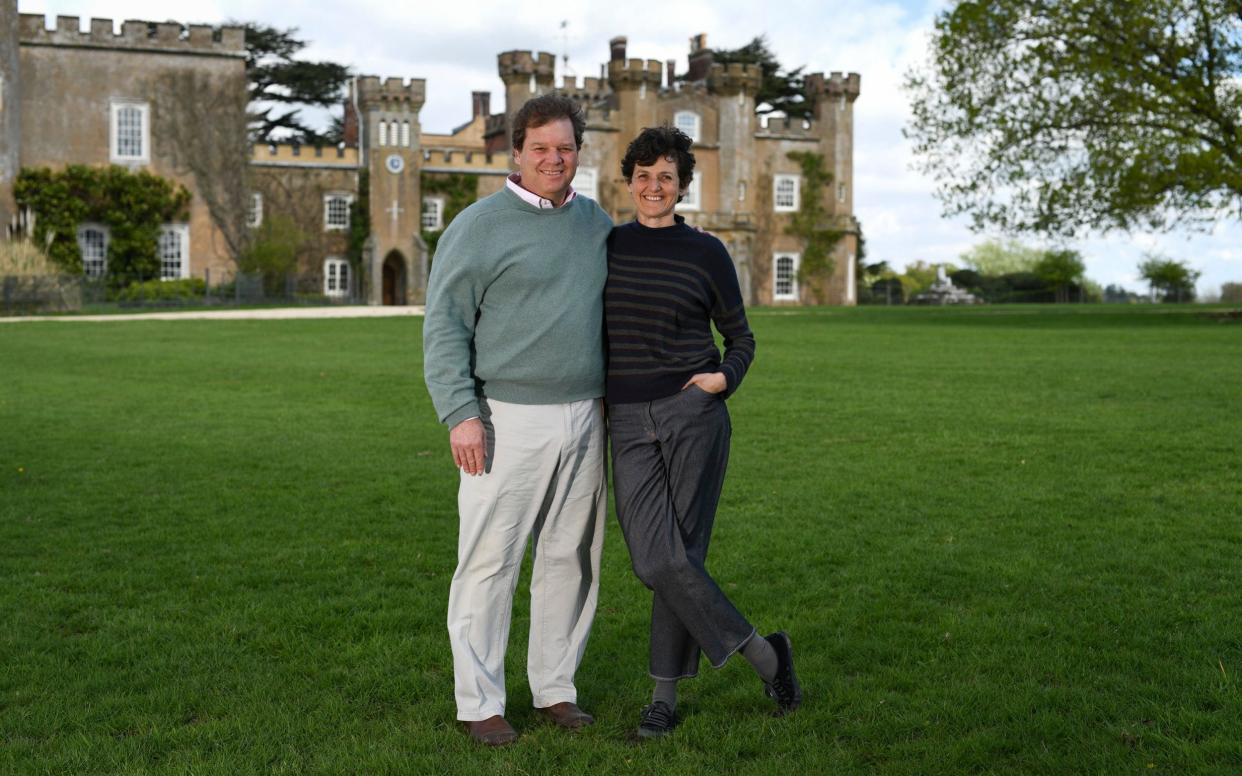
1004 541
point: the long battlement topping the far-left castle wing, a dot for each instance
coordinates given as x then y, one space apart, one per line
135 34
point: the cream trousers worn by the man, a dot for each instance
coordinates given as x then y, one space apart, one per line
545 481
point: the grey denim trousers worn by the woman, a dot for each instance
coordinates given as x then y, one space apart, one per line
669 462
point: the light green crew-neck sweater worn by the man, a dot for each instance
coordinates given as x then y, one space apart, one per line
516 306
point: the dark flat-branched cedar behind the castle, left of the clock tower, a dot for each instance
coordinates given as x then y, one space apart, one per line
280 86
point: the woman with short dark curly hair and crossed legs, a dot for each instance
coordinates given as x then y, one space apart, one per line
669 425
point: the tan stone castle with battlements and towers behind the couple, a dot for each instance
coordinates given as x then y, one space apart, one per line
95 97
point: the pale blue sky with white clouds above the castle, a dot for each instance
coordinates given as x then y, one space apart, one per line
454 48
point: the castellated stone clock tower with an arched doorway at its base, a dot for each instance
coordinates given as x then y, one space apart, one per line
397 261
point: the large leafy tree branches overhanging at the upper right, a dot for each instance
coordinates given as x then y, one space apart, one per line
1055 119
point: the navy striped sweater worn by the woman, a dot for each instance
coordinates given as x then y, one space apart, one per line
666 287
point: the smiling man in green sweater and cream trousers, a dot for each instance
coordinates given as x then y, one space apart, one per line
515 364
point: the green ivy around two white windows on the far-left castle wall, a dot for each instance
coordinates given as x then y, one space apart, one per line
132 205
